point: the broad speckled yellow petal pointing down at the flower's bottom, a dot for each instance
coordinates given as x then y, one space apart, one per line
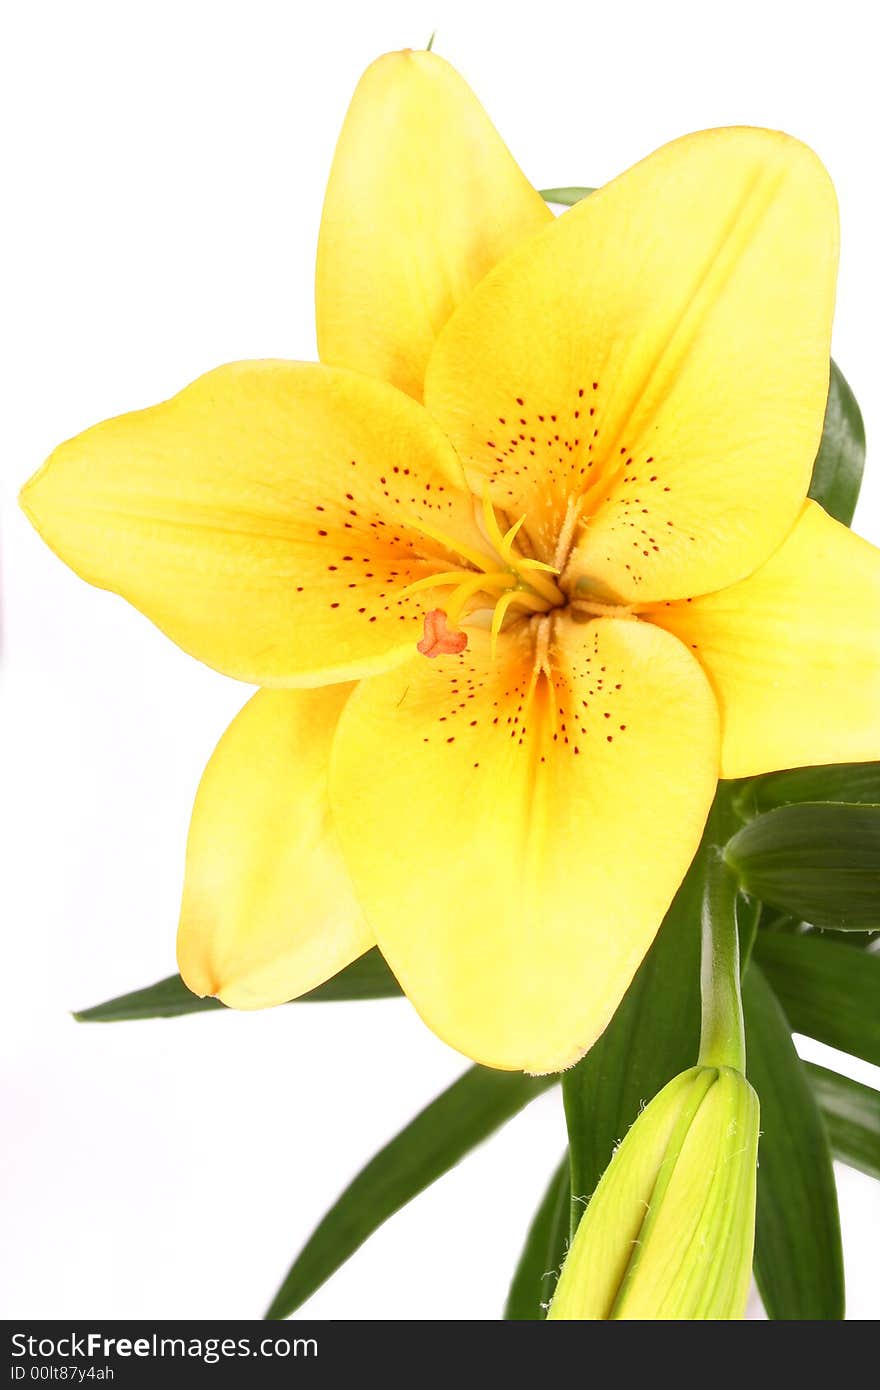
535 851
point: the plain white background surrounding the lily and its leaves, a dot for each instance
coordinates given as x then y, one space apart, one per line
163 186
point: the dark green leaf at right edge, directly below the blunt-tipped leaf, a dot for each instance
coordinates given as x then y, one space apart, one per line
828 990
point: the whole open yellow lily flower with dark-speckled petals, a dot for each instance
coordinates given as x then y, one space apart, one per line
525 566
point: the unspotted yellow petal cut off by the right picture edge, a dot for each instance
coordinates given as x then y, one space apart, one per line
793 653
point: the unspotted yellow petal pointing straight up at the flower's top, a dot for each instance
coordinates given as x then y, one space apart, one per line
423 201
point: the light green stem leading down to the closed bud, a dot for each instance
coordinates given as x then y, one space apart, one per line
722 1039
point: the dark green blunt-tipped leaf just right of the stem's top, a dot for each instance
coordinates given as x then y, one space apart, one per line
818 861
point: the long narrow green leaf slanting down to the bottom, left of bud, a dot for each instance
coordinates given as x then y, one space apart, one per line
448 1129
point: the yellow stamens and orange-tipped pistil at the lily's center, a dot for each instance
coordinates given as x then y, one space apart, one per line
503 582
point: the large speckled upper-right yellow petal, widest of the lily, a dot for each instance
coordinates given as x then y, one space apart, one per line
662 355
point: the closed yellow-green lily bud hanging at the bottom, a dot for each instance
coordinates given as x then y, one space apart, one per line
671 1228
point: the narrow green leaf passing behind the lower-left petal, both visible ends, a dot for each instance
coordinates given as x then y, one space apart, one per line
368 978
